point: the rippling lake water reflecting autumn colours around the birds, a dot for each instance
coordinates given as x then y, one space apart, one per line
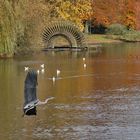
99 102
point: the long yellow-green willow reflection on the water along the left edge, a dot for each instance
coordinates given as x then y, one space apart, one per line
9 84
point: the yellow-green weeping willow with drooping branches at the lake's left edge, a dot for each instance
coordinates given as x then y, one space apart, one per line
11 25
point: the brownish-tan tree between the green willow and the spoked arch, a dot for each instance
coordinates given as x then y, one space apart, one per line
38 15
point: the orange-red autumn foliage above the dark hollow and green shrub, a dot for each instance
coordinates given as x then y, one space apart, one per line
107 12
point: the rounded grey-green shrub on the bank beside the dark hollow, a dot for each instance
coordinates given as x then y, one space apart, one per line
116 29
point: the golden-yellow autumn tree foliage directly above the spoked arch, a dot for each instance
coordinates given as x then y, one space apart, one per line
72 10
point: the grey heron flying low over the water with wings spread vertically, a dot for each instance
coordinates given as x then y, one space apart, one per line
30 94
